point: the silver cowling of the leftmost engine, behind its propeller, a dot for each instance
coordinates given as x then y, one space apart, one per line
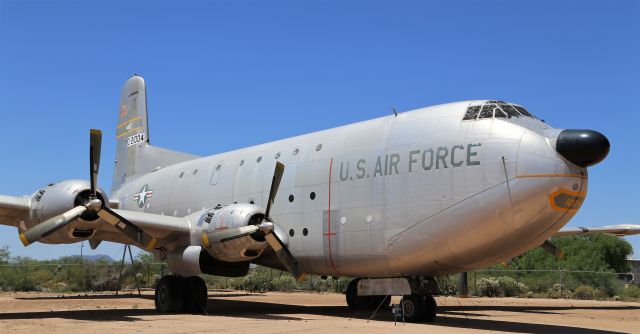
58 198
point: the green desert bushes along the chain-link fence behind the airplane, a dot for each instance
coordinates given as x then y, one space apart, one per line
80 277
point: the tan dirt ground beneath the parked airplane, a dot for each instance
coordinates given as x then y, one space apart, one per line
240 312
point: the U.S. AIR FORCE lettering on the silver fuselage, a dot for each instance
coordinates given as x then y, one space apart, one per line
427 159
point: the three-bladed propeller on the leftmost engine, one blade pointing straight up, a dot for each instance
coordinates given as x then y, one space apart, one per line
93 204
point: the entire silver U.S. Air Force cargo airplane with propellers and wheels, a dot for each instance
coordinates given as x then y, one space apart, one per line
393 201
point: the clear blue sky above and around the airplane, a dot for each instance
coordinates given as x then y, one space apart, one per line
228 74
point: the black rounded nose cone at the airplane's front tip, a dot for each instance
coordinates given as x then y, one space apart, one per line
583 147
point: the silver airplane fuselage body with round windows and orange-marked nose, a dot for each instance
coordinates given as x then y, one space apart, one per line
423 193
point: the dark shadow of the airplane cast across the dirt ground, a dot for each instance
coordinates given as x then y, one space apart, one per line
223 304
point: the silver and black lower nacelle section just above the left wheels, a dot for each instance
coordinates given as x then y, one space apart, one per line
194 260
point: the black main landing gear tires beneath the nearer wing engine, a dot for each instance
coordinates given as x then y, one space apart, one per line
181 294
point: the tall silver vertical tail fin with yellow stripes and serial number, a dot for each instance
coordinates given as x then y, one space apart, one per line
134 154
